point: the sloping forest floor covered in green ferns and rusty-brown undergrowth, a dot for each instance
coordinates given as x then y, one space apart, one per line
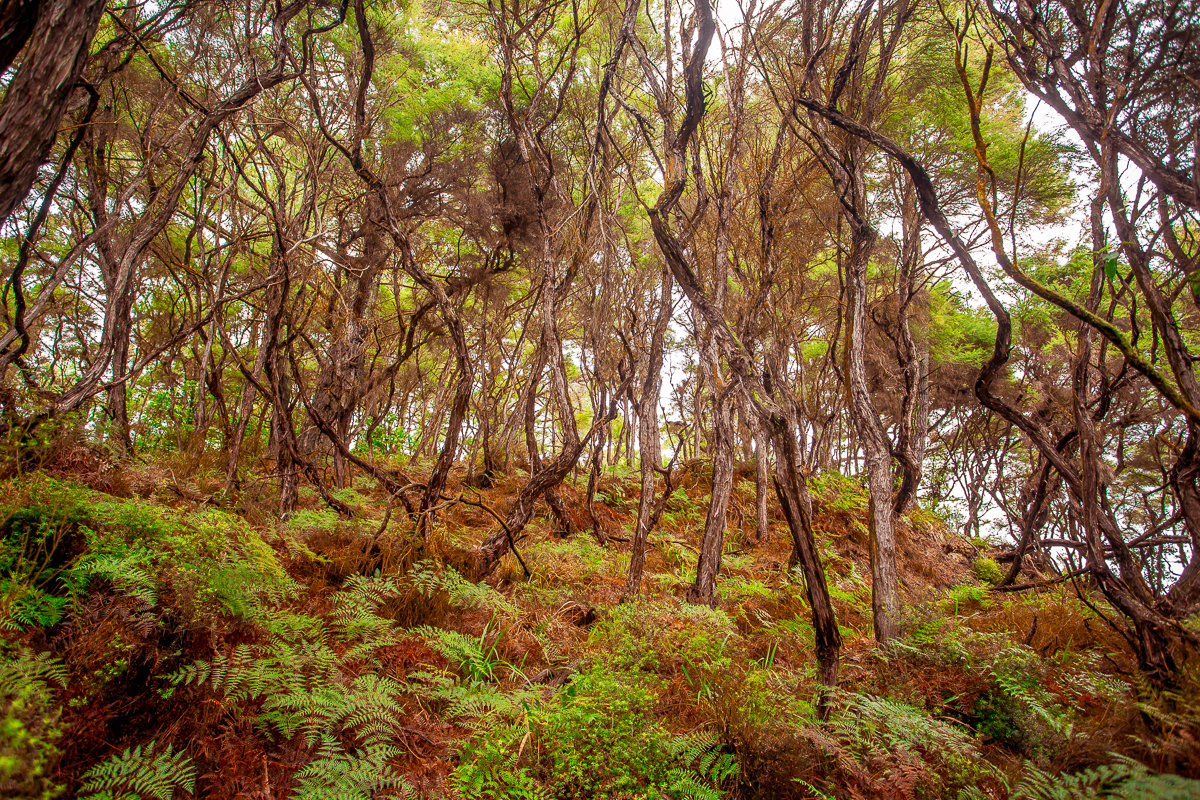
164 640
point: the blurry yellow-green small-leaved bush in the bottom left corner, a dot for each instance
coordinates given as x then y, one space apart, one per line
29 724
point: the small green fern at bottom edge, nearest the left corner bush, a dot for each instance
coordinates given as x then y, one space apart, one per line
139 774
